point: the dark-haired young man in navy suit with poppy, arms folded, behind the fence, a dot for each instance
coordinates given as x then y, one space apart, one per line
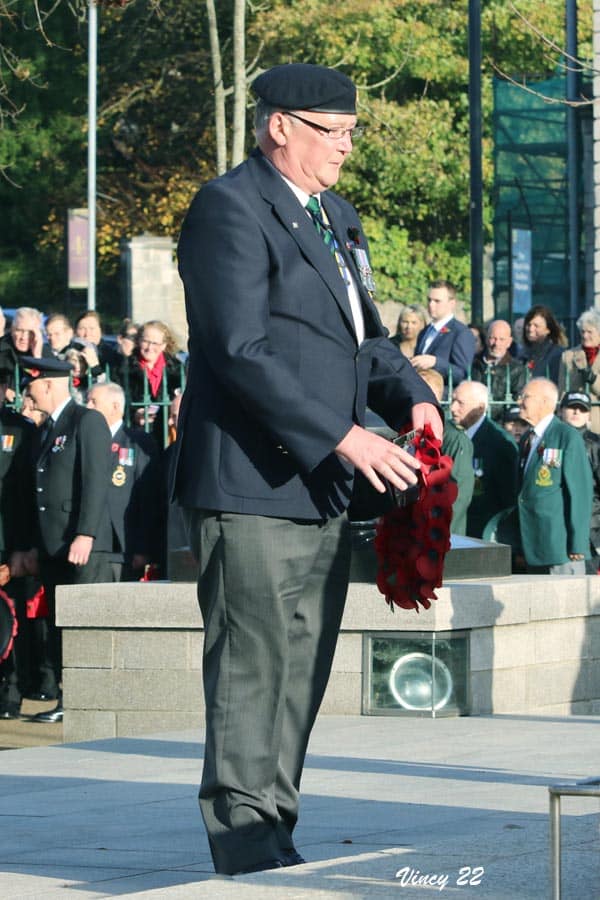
445 345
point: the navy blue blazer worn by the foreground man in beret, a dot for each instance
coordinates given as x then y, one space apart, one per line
276 377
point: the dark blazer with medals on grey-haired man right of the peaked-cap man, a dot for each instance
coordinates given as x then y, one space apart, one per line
134 495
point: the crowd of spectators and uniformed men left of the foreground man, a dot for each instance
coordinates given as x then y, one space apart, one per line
49 370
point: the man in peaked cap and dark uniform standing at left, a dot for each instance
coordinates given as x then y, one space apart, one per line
72 477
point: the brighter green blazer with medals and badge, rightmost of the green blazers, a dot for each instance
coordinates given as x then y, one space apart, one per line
555 498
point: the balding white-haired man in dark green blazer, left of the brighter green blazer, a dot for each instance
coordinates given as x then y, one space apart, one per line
494 456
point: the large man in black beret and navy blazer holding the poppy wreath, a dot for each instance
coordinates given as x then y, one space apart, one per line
286 348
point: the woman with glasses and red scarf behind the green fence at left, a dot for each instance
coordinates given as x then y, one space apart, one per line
152 373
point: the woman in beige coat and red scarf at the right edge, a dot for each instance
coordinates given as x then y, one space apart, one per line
580 365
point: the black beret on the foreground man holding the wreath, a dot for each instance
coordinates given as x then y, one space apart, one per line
304 86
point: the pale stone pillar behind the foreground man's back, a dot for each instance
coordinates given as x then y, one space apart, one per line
154 289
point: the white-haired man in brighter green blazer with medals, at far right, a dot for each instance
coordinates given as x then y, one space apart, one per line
555 497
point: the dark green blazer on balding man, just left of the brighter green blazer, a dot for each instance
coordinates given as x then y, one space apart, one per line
495 465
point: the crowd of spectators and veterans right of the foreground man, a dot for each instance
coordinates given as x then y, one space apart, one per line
505 386
